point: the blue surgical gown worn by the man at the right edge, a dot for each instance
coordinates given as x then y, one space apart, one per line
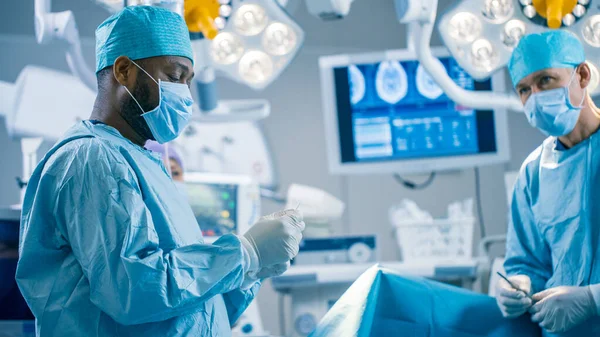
554 229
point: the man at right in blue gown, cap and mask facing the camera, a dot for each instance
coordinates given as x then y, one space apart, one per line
553 248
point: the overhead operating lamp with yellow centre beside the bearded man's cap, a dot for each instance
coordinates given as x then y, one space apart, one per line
250 42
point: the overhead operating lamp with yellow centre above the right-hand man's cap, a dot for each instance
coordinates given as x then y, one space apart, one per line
481 34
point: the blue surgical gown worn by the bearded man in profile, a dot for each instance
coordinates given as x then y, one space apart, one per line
109 247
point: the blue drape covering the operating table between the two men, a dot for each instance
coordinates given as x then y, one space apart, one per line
382 303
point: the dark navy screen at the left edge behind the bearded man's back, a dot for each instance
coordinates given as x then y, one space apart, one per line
13 305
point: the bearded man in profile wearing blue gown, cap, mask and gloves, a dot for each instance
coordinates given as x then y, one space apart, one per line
108 246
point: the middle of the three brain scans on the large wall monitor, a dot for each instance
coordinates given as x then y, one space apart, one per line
391 82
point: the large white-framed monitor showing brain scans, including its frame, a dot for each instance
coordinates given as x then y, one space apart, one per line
383 113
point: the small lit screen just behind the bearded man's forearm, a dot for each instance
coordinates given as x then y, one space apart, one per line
214 206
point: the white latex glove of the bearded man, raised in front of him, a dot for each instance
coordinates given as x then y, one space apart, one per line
275 239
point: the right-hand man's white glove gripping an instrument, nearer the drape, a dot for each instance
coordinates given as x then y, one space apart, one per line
514 303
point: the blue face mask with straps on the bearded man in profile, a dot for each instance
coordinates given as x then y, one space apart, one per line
173 112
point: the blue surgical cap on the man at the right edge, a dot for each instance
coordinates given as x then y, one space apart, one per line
551 49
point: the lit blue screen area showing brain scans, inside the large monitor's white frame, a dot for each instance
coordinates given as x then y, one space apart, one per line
393 110
